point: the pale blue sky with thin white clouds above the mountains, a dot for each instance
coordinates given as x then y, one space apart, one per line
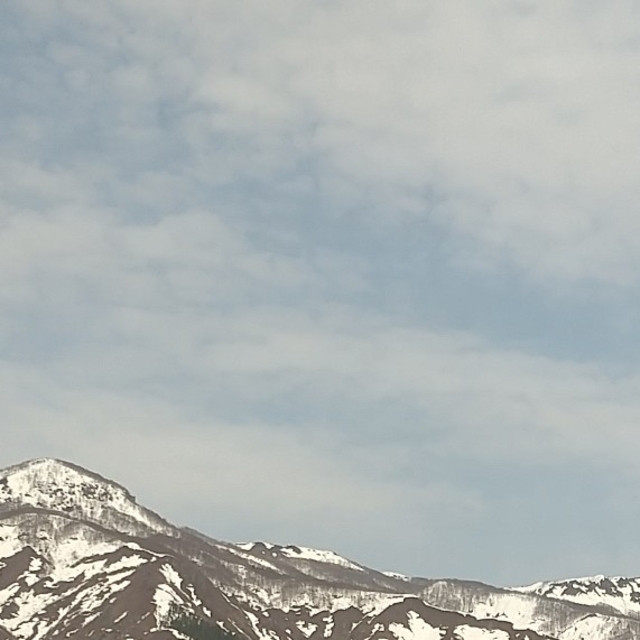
351 275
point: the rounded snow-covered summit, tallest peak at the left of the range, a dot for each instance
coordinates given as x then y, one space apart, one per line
76 493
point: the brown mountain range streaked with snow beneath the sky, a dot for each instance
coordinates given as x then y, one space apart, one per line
80 558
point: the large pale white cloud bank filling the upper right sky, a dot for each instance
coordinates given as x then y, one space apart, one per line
519 119
